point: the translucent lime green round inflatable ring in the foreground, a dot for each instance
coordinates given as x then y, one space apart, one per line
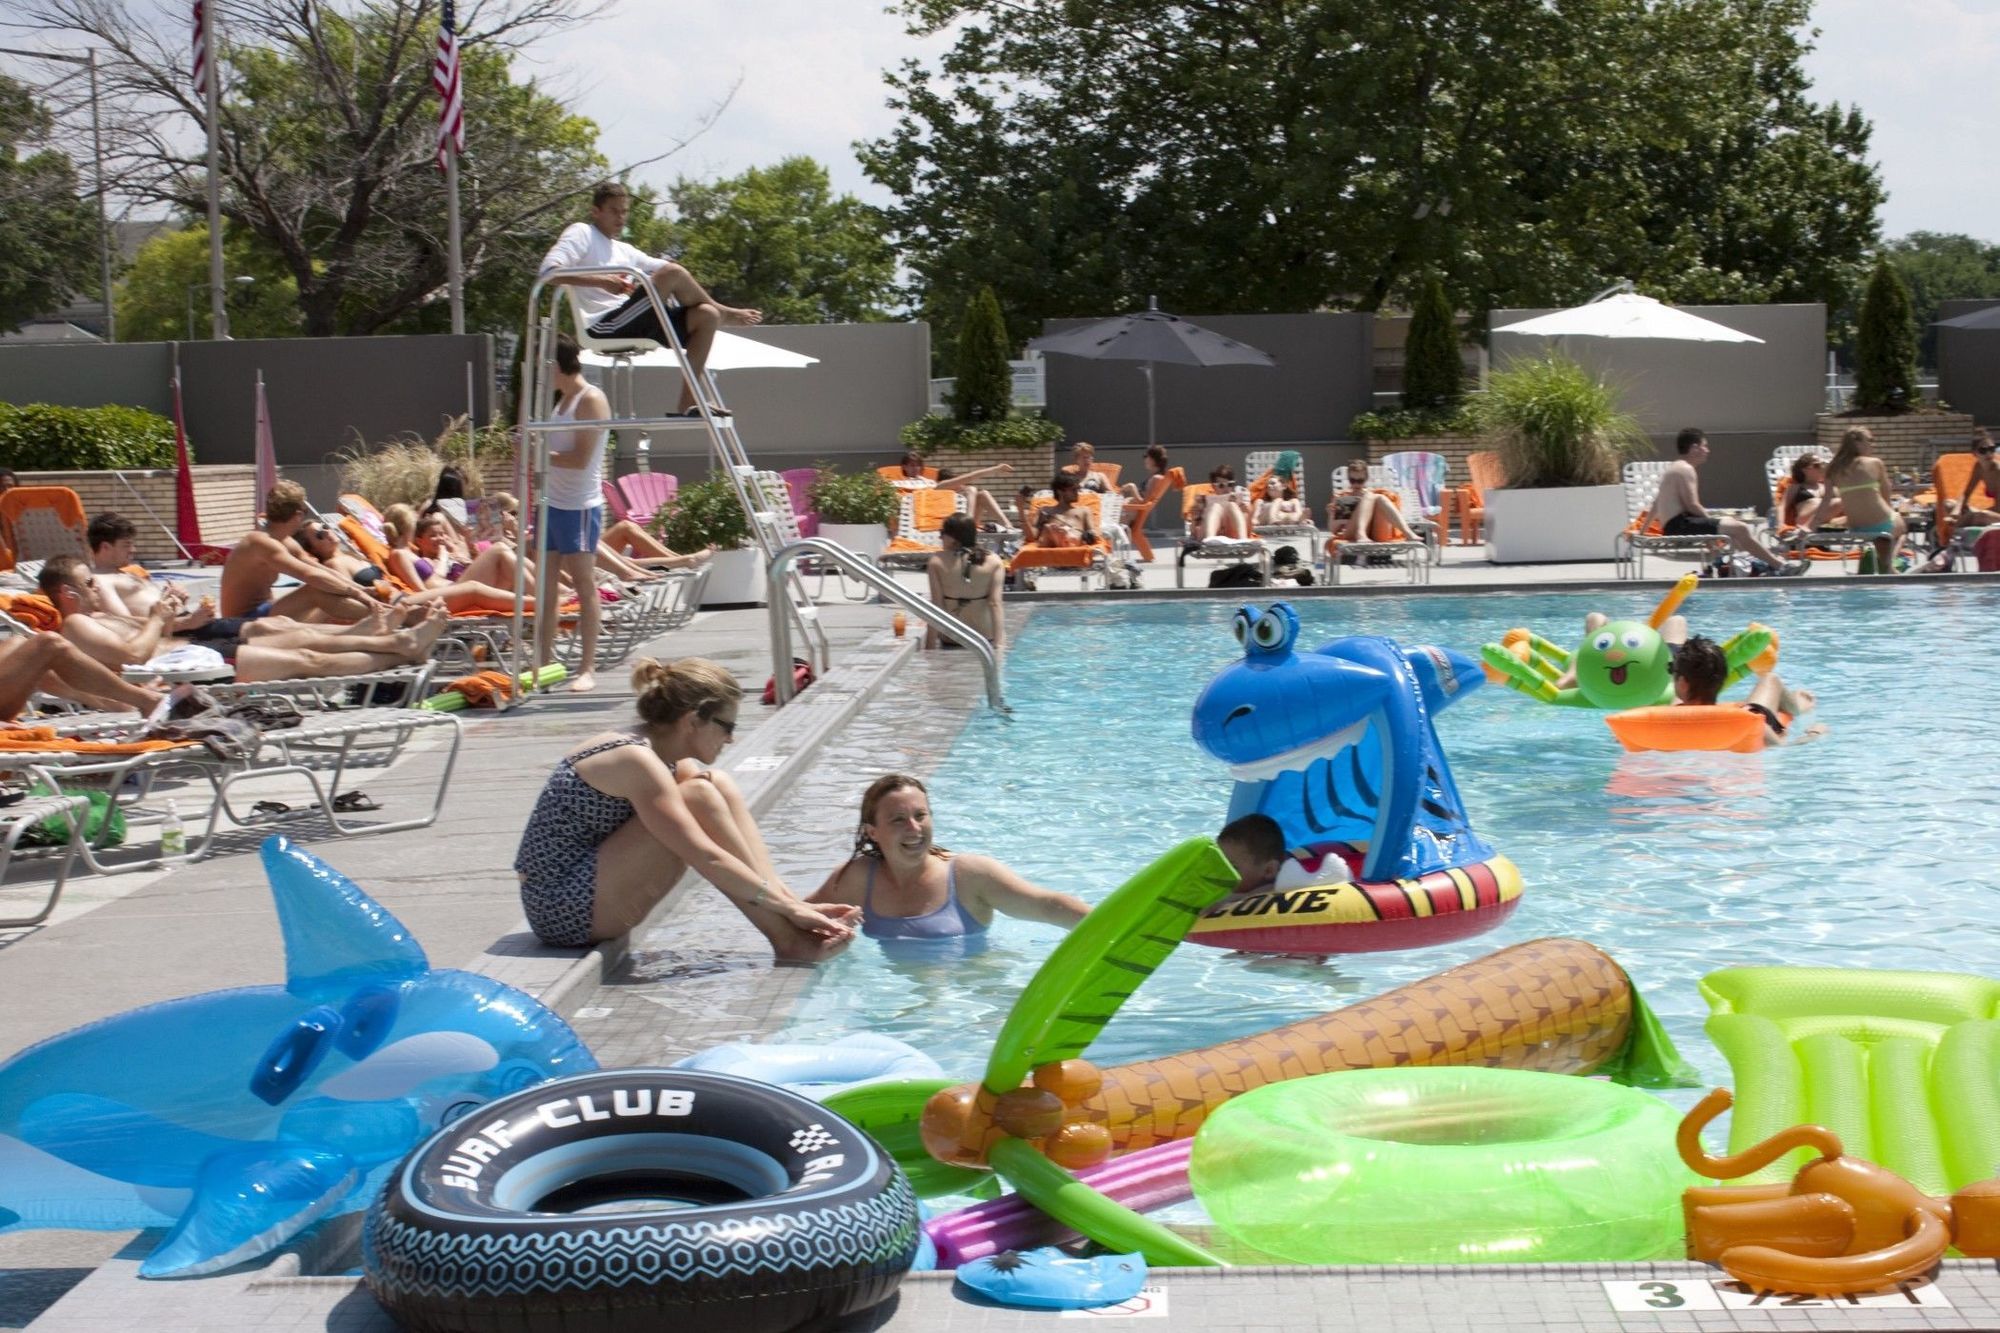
1445 1166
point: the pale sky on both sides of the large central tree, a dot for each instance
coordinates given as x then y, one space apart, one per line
809 81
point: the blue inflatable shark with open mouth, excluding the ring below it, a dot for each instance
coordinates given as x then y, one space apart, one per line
1339 744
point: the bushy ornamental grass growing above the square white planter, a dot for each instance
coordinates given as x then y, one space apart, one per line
1557 425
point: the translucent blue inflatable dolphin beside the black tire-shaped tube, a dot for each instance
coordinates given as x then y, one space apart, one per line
241 1118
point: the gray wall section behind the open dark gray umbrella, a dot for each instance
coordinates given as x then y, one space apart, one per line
1321 383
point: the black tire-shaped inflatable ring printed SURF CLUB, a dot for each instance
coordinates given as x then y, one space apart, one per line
641 1198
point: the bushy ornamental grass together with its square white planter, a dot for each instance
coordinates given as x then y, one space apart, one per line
1563 439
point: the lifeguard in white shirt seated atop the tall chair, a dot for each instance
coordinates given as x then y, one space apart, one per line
611 303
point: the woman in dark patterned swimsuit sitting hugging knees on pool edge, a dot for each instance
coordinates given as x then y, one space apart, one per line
627 814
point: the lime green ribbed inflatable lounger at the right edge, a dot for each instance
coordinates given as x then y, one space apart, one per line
1903 1066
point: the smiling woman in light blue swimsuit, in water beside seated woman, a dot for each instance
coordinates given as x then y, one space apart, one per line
911 890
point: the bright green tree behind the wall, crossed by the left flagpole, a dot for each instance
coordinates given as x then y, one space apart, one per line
173 267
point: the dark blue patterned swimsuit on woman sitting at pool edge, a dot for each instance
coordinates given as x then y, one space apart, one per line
559 850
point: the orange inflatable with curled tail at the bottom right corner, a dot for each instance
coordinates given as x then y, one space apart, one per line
1843 1226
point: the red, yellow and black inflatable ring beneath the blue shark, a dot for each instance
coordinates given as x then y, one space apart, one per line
1365 916
